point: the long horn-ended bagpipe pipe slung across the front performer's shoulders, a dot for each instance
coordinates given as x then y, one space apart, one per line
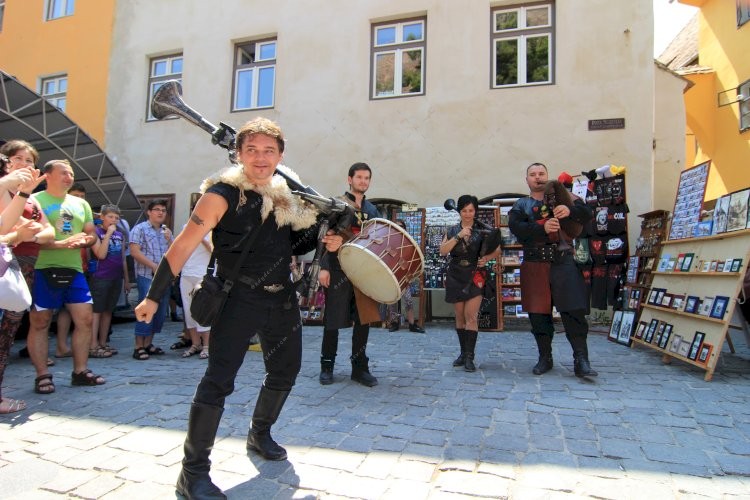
338 215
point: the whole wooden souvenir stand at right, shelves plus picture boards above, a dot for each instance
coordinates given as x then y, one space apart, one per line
697 277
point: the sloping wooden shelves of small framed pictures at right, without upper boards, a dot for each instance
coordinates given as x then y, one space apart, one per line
693 294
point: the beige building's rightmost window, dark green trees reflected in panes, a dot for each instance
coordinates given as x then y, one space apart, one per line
522 45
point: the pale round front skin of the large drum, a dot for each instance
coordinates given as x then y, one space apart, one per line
368 273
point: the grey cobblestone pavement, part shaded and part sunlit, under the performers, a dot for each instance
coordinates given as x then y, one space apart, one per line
641 429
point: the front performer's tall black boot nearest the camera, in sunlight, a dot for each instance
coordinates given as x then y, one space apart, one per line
194 481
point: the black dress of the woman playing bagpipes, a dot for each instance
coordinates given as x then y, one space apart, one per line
459 283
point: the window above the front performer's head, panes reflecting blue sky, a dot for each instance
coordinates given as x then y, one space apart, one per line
254 75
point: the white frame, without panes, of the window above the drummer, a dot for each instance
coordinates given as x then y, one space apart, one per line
398 48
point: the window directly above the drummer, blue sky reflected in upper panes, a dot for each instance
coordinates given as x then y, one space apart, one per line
398 56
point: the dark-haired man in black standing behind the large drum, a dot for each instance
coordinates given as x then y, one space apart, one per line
345 304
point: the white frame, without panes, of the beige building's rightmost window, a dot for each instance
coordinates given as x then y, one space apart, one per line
522 34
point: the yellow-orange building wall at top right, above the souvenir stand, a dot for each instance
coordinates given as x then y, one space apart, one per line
724 48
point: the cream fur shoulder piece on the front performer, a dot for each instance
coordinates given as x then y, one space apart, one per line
277 197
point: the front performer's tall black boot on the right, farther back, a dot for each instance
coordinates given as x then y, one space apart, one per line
267 410
